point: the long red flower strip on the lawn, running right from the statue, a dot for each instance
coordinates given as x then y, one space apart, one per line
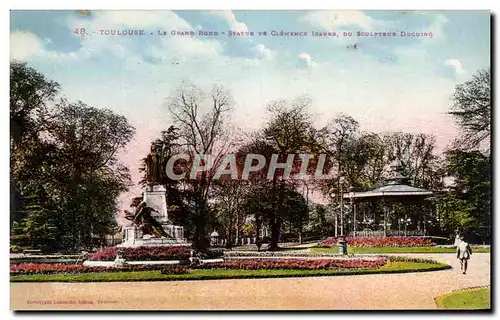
297 264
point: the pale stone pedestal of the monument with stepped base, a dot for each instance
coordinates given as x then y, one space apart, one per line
155 198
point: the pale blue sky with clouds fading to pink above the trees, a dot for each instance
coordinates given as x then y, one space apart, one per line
387 84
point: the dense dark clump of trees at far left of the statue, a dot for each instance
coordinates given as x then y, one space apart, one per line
65 173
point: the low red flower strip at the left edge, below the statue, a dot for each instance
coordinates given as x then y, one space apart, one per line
45 268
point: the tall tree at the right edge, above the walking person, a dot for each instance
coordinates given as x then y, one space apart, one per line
467 203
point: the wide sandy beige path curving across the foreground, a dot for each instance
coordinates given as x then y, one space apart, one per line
385 291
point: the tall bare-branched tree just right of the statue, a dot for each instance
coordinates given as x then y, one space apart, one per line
202 119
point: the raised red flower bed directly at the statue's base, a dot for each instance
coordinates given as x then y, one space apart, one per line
159 253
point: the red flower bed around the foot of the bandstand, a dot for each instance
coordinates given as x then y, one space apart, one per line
379 242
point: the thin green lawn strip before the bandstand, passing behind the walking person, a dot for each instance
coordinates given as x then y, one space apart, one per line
397 250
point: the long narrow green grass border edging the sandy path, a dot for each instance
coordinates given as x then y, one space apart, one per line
201 274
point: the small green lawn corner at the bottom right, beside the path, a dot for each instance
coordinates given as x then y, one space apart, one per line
478 298
